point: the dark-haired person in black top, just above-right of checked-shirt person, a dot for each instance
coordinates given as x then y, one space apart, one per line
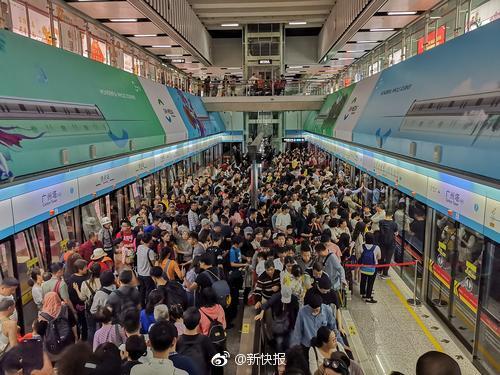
125 297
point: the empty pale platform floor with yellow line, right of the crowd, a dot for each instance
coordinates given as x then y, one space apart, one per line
391 335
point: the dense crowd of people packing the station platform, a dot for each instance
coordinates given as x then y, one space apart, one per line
158 294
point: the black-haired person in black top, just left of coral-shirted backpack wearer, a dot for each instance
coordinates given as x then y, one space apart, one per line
194 345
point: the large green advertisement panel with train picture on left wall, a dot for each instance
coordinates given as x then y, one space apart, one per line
94 104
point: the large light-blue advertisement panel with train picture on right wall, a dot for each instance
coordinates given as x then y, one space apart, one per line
457 111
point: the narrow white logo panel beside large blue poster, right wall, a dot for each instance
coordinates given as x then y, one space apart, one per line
354 107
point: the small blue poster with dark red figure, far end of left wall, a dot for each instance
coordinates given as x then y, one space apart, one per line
196 119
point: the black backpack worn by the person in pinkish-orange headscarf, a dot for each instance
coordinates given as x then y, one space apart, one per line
59 334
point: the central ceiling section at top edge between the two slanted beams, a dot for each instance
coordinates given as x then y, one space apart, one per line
215 13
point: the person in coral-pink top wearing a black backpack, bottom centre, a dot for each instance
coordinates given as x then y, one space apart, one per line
213 319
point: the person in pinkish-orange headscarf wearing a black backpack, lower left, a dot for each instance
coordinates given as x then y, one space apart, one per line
61 328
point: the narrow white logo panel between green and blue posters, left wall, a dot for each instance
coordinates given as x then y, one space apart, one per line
165 110
